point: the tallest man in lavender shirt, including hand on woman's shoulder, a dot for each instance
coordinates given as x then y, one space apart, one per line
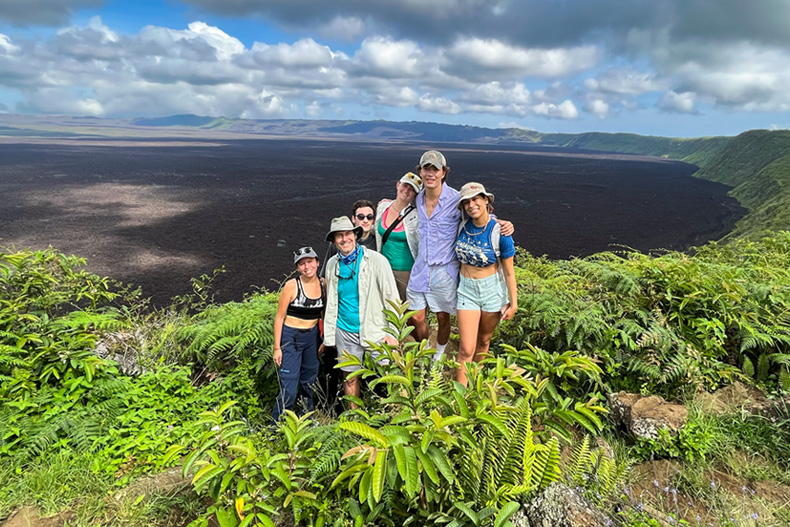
434 277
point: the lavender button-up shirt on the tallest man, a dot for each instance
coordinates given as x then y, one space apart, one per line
437 238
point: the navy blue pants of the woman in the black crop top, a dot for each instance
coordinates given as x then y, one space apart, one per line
299 367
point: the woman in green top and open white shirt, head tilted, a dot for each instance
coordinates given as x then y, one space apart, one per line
397 235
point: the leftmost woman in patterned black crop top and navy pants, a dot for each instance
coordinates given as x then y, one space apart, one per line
296 332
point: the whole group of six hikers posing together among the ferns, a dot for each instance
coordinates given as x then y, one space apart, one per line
433 246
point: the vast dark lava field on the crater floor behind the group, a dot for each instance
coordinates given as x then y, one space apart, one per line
156 213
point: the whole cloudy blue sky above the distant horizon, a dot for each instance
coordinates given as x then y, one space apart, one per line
682 68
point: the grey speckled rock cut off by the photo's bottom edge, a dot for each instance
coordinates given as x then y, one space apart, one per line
561 506
